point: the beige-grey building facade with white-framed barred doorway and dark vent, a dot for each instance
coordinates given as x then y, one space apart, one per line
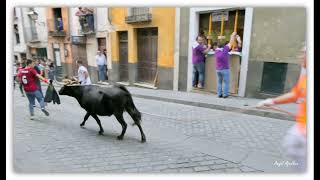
267 65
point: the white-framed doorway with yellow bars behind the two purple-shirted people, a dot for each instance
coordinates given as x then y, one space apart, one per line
221 22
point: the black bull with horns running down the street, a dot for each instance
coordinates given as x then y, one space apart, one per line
105 101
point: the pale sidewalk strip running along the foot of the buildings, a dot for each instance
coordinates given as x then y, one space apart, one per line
211 101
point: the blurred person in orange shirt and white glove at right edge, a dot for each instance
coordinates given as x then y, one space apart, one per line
295 142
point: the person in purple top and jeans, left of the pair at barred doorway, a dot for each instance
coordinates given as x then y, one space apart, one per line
199 49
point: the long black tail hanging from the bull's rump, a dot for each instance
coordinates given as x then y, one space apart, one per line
130 107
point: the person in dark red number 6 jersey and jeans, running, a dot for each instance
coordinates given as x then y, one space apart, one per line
28 77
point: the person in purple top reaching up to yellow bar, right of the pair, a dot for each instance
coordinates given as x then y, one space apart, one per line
222 68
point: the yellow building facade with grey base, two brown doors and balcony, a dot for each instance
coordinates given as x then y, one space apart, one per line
143 46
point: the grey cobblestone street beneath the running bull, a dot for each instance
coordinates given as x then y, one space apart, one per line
180 138
